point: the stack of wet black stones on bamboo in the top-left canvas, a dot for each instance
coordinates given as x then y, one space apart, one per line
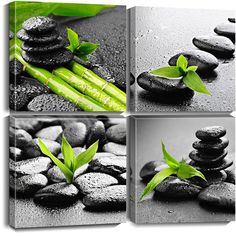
42 44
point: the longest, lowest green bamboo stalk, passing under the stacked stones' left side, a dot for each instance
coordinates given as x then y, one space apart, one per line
60 87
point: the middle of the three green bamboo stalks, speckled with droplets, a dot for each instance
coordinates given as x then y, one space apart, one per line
89 89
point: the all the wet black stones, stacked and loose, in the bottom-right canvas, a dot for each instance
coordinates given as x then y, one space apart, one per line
210 158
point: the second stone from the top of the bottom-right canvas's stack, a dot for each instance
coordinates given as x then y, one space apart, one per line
211 146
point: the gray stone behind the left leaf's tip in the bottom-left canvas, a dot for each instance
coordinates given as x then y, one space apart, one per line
32 149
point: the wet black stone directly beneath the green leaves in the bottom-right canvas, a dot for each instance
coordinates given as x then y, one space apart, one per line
176 188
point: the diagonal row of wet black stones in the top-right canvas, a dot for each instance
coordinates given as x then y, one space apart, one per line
210 48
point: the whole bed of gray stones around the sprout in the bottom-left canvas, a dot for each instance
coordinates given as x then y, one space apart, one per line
100 185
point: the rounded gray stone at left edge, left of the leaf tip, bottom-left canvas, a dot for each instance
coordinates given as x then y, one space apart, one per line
19 137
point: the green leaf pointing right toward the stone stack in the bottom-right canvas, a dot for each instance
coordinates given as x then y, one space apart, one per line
186 171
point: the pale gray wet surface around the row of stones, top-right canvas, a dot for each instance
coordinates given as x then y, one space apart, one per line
159 34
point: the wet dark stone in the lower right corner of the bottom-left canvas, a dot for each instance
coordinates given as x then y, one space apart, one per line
110 198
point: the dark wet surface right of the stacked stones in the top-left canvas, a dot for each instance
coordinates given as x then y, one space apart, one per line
109 30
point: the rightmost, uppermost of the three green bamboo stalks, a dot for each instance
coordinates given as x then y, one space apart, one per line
105 86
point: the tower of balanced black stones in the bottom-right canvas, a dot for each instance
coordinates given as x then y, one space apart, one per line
210 153
